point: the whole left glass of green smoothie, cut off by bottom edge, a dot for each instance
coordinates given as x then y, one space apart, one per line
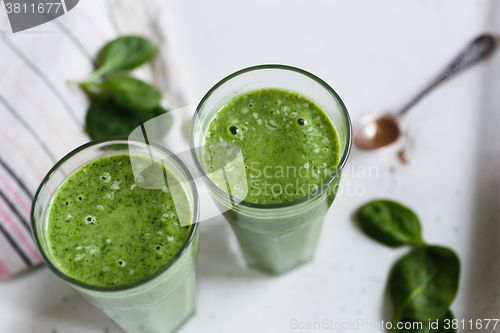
116 219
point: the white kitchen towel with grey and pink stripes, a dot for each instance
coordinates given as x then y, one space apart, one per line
42 116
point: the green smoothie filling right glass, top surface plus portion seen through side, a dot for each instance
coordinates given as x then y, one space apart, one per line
289 149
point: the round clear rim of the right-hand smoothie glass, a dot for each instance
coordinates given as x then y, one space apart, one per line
326 184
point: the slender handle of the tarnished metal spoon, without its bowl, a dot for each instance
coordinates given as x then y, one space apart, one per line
477 50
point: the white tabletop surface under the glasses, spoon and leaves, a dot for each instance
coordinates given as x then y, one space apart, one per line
375 55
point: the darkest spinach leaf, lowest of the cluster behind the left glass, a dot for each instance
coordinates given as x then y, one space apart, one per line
105 118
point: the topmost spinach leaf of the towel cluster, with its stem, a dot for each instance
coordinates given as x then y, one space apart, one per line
123 53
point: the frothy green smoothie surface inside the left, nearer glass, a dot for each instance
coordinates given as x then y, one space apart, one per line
106 230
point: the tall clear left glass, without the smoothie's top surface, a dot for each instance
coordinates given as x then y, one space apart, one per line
161 302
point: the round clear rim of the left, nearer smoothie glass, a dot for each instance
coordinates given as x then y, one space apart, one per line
161 270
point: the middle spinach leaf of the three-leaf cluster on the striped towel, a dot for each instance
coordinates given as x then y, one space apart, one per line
132 93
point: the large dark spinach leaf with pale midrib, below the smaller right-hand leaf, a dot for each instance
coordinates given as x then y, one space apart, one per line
423 284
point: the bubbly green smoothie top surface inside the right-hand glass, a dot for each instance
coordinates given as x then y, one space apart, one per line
289 145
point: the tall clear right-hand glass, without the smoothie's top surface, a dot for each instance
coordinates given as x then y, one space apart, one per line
274 238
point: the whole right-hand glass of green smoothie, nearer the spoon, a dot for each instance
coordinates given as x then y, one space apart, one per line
270 143
